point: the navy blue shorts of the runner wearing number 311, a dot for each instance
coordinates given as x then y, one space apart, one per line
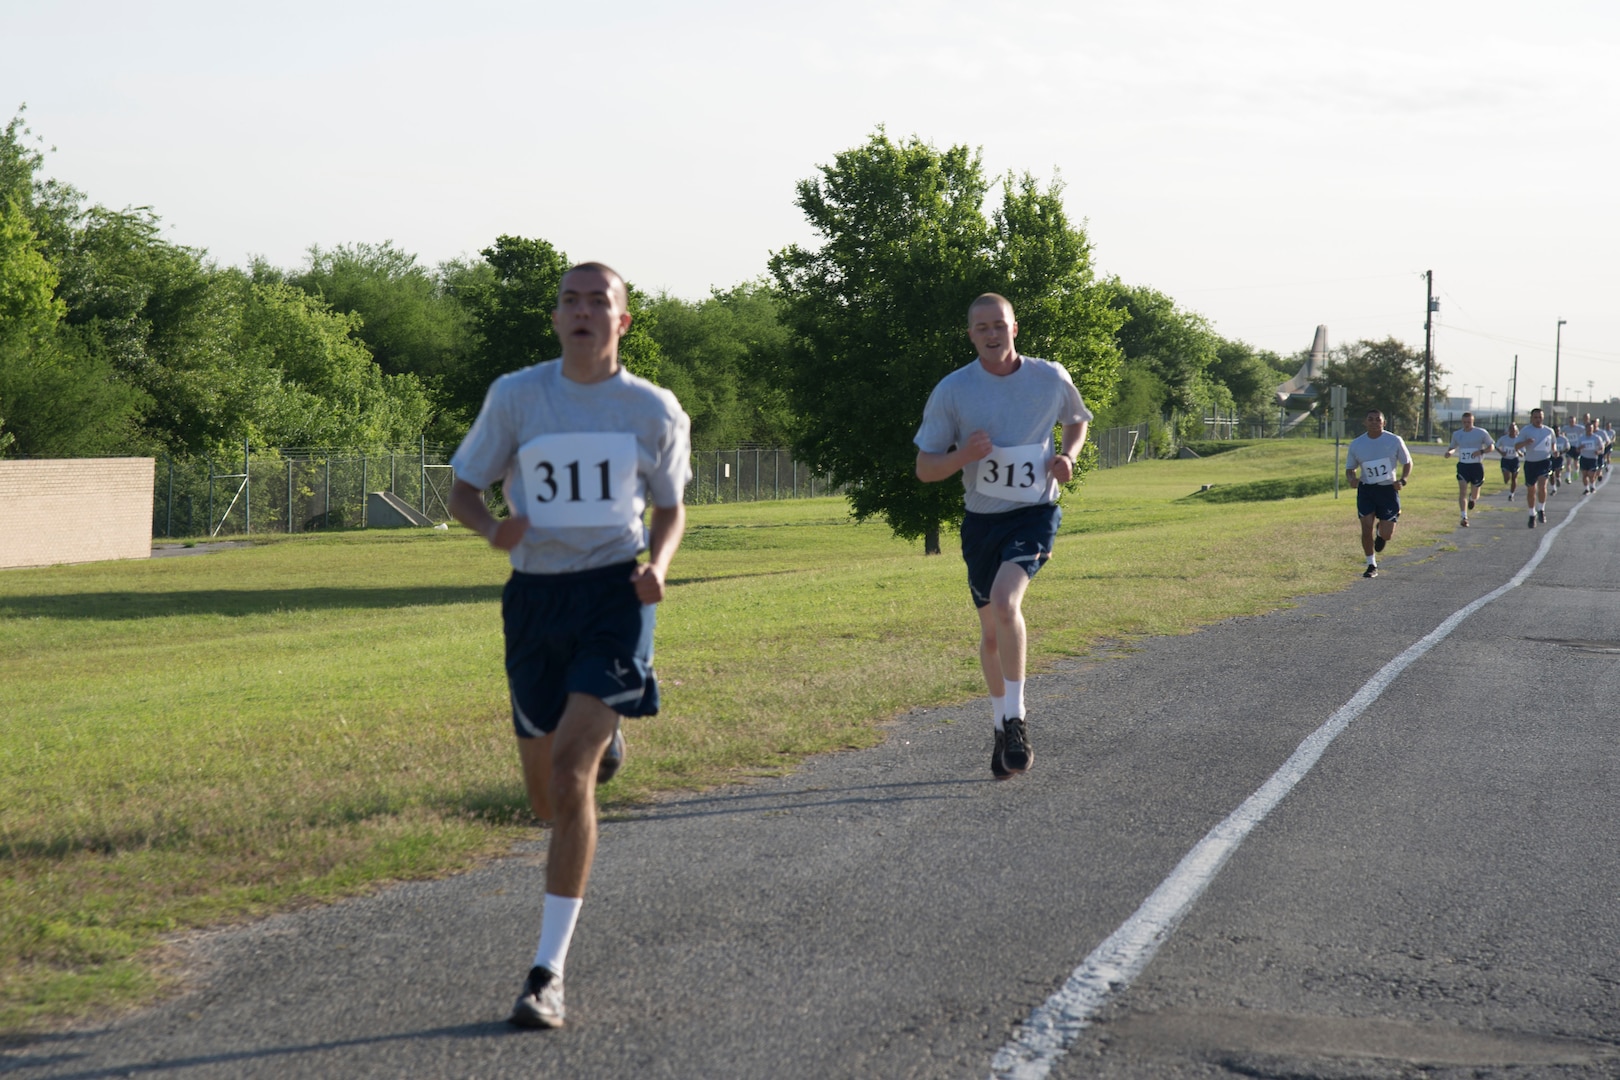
578 634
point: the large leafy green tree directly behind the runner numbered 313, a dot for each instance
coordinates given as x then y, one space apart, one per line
879 312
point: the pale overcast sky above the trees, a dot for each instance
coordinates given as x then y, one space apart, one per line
1271 166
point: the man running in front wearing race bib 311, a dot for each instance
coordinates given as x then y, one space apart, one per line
582 448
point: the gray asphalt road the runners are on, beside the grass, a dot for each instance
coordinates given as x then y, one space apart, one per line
1436 899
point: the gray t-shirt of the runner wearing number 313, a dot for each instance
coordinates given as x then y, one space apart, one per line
1015 410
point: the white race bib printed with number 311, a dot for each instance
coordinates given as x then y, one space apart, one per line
579 480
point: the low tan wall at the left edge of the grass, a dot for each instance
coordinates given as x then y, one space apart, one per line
75 511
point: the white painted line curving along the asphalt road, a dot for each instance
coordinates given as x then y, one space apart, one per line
1054 1026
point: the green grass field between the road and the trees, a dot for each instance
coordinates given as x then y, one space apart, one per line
205 739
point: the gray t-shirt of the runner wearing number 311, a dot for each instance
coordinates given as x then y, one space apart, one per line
565 456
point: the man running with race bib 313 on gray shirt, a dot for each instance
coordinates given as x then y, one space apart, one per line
992 422
